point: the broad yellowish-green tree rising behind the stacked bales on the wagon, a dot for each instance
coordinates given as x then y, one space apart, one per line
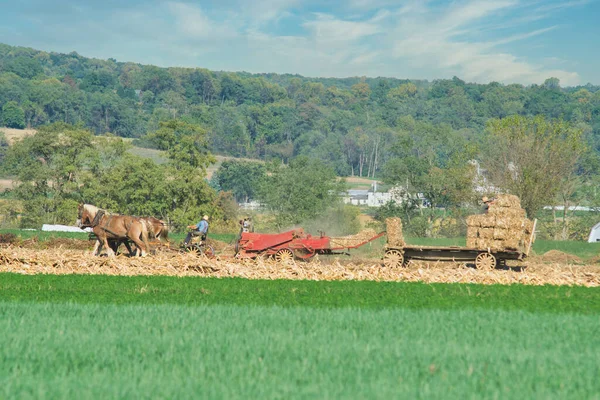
533 158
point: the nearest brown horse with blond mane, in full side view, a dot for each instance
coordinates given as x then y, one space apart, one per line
111 226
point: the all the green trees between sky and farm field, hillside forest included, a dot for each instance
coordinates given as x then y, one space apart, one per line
540 141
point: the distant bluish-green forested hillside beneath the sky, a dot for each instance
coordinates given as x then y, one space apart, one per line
350 124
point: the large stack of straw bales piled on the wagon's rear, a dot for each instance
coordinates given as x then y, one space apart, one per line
504 227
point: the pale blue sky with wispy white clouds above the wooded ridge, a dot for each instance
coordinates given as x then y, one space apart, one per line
509 41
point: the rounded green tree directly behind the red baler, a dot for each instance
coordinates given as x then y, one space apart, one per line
301 191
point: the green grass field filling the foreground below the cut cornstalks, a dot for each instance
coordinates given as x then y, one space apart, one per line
160 337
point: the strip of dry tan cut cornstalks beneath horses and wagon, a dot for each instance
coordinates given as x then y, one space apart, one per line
63 261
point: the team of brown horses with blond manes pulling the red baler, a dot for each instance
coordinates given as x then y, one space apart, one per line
112 230
